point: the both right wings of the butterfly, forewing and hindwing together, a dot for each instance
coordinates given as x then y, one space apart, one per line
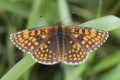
83 38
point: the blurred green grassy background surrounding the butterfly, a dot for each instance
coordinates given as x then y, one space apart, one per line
15 15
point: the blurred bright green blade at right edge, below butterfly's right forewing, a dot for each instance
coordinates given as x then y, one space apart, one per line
110 60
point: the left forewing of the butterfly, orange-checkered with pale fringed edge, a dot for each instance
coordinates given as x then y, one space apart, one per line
28 40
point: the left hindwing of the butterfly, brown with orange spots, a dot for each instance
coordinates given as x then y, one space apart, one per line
47 52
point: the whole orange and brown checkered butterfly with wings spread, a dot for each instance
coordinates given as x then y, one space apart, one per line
52 44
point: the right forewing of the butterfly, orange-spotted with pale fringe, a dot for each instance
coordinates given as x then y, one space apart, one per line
88 38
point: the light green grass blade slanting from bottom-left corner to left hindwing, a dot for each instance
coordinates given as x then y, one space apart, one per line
19 68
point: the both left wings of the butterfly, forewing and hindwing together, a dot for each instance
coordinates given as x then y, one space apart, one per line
34 41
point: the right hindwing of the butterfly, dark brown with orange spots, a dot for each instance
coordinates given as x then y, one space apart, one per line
74 53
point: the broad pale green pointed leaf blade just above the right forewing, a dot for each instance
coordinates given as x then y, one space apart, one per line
107 23
